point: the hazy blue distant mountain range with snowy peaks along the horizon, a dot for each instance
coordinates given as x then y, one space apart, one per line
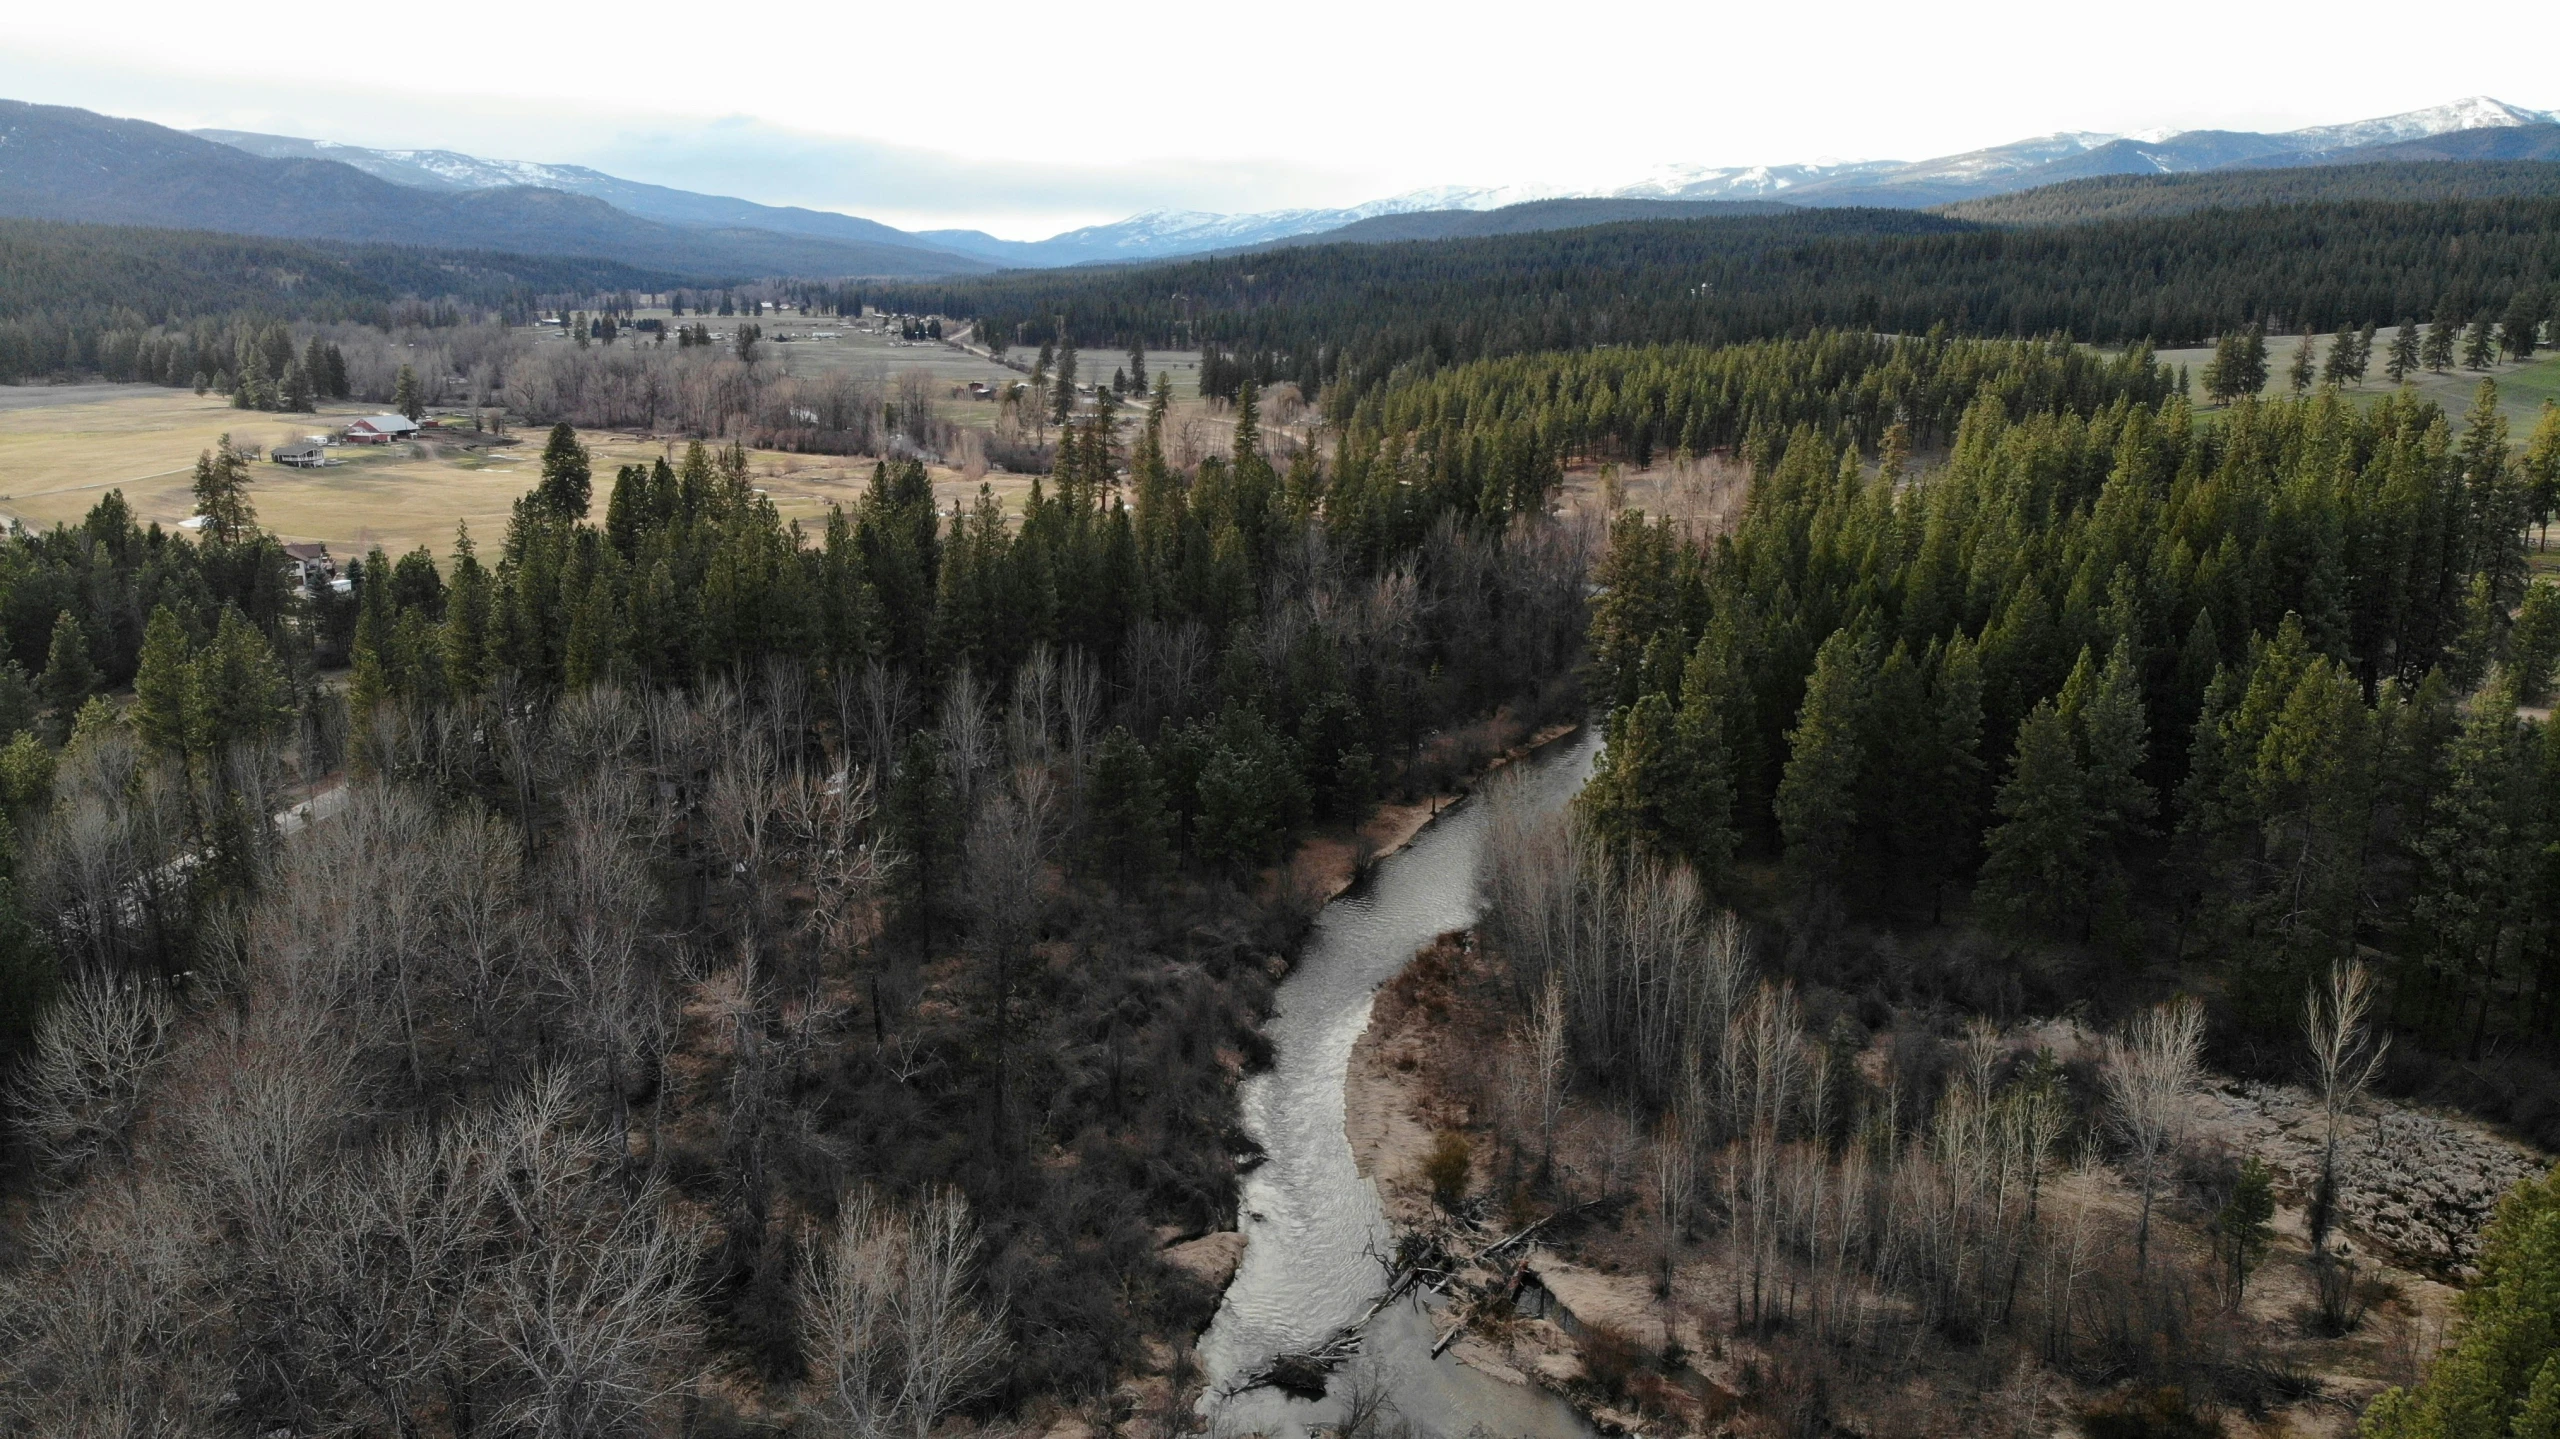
73 165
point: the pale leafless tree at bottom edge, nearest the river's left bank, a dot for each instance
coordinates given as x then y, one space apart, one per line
890 1320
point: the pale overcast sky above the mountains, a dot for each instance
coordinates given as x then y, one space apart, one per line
1030 119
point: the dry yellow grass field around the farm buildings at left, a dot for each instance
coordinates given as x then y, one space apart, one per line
60 452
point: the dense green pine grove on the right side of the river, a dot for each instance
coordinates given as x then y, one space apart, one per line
2241 693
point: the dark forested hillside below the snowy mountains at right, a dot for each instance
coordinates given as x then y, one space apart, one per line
1350 316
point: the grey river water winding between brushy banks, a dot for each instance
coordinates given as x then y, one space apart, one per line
1312 1220
